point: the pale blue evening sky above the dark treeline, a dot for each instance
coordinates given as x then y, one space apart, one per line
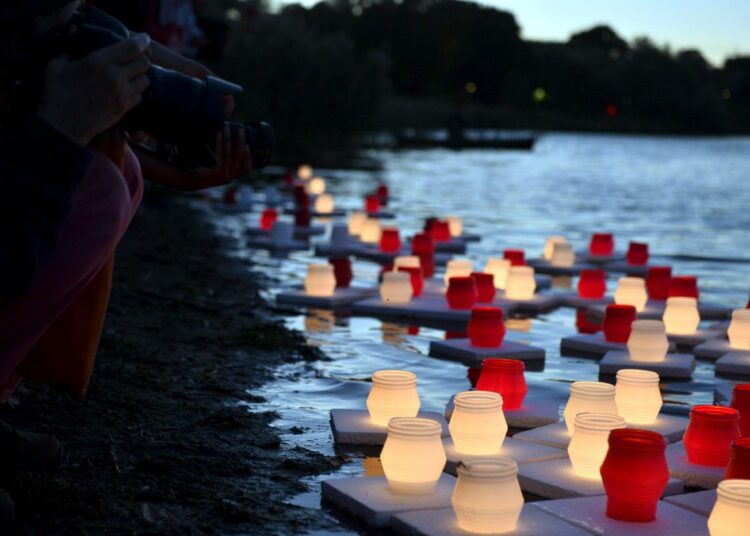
718 28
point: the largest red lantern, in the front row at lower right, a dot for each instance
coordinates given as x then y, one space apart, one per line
634 474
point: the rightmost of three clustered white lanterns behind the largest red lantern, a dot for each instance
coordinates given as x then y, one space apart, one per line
637 396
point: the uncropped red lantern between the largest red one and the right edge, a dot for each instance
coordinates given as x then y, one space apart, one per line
710 431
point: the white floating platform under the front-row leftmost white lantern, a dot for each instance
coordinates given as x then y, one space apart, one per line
369 499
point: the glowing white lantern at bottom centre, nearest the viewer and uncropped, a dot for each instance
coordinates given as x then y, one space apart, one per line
487 498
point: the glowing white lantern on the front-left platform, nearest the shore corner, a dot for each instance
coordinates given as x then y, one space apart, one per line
413 456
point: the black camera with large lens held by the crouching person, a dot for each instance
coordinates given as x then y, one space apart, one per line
177 110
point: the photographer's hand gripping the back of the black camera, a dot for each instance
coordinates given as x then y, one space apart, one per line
86 97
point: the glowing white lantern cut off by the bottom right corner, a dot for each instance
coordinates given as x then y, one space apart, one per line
731 512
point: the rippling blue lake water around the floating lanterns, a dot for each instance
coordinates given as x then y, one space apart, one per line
688 198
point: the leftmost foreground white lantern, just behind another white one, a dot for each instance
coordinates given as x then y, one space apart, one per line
393 394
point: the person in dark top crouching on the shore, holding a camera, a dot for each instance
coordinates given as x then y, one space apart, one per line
69 187
